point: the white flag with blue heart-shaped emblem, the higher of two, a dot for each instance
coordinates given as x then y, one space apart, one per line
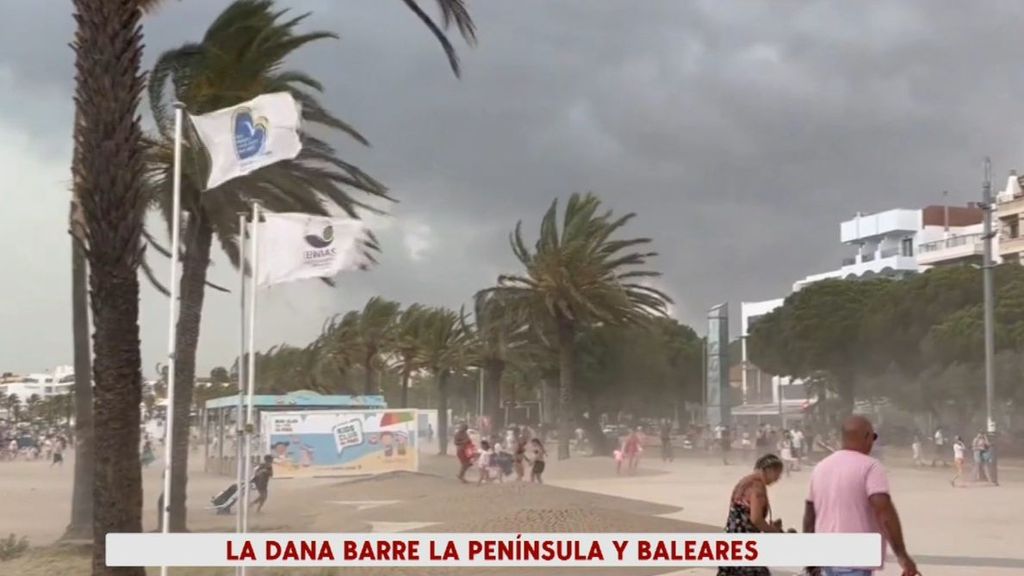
250 136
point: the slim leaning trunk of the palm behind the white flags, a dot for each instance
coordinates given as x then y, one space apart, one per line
194 271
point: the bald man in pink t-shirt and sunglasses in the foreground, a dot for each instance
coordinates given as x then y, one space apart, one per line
850 495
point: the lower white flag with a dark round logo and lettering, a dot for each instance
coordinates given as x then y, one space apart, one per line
294 246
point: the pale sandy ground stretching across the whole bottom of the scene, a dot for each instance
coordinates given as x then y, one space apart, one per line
950 531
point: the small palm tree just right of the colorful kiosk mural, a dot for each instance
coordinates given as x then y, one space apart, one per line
444 351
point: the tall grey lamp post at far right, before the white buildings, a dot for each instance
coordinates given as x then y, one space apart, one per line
990 307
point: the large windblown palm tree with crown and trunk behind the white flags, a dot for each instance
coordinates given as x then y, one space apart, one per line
242 56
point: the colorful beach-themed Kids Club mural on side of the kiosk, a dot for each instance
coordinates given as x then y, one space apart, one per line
340 442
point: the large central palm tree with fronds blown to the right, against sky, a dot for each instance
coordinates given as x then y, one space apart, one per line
578 276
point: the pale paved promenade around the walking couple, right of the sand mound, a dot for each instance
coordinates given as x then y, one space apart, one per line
951 531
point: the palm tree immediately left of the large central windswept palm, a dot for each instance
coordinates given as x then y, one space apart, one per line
499 332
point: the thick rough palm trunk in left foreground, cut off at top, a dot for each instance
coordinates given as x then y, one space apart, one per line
109 50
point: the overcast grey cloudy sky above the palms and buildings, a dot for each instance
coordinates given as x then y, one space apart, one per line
741 133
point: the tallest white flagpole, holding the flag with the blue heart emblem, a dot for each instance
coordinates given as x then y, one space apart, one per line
173 322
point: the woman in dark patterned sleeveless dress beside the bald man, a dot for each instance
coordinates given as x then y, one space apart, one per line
750 511
